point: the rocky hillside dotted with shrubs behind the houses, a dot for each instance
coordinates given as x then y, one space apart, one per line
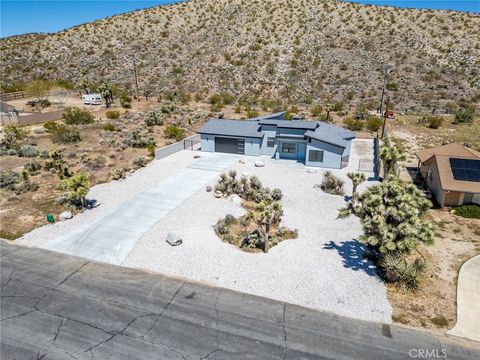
306 50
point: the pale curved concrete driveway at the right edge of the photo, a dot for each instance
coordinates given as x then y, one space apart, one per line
468 301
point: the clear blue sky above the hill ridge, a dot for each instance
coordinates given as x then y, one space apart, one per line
25 16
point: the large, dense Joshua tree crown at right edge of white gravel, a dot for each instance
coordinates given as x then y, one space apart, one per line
391 215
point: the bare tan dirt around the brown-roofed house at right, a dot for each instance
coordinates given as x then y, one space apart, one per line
456 239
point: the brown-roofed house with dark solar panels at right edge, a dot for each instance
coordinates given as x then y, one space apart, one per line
452 173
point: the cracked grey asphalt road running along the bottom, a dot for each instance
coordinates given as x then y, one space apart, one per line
55 306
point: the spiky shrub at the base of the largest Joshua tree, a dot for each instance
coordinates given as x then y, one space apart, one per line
401 272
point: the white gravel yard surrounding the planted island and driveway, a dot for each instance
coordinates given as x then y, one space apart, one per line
322 269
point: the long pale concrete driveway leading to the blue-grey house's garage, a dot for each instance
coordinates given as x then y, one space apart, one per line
111 237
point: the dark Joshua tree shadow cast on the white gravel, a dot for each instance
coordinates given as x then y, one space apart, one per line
352 253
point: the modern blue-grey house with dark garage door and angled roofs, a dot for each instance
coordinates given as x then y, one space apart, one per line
310 142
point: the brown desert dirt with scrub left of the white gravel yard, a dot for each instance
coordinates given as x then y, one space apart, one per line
99 152
